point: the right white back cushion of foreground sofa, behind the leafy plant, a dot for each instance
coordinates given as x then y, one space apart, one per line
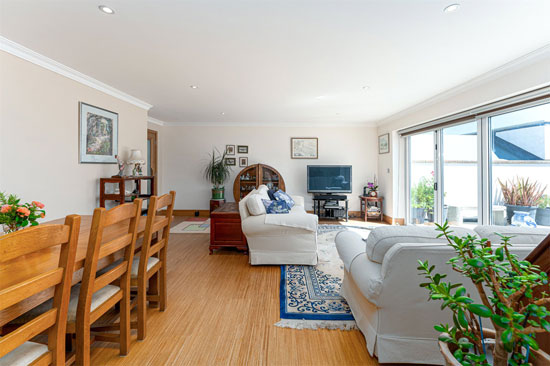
521 235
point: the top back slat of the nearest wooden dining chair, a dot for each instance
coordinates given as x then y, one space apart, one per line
31 240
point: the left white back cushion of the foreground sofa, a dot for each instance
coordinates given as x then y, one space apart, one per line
382 239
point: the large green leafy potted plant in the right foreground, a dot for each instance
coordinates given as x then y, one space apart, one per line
509 305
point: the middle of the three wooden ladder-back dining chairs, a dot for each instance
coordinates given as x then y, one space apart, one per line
98 294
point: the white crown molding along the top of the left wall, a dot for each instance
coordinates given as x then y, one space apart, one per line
29 55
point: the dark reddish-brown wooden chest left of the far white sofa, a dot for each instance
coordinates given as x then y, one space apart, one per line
225 228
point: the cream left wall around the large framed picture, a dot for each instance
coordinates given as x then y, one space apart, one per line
39 137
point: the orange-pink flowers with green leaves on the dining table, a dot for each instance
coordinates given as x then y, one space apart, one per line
15 216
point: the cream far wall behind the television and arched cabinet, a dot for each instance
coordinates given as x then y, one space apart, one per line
185 151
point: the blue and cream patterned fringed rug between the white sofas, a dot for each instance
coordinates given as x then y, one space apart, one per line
310 295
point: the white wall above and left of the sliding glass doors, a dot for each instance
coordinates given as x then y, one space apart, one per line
514 79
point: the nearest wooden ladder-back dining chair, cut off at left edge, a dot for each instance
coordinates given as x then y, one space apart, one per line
16 347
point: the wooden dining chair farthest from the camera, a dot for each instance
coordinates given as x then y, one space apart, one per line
150 267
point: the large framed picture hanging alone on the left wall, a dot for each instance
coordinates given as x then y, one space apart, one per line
98 135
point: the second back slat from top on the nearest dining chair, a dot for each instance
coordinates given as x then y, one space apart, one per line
19 292
